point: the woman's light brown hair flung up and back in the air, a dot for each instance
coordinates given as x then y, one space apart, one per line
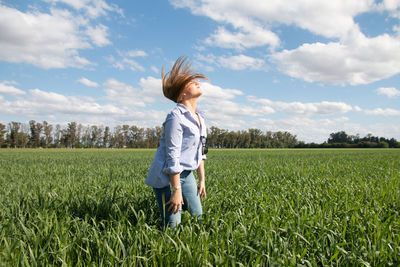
180 75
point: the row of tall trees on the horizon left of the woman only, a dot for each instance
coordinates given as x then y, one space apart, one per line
75 135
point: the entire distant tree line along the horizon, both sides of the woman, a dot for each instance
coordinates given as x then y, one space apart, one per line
75 135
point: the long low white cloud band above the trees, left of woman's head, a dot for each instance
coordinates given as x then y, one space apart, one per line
124 106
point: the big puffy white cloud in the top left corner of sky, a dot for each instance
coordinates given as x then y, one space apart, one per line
50 40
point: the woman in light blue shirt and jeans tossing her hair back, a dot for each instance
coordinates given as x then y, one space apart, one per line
182 148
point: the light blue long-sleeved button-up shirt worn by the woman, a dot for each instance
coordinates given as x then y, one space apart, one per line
180 147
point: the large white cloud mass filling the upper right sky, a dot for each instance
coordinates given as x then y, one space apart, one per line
349 58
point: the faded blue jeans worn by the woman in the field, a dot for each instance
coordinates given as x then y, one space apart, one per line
190 196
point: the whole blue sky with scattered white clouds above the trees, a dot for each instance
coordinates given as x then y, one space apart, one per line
308 67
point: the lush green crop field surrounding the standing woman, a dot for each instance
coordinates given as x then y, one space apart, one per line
263 207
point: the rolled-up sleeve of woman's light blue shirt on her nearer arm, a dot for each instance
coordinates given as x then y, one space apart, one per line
173 142
